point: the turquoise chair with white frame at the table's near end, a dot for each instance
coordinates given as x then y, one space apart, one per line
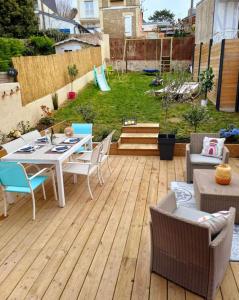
14 179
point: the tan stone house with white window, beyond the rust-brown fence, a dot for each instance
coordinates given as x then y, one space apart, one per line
121 18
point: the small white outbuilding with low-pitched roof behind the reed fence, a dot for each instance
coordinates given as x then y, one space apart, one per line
73 44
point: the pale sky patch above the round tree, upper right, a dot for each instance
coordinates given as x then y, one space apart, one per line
178 7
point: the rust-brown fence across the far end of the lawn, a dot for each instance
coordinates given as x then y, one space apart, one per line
150 49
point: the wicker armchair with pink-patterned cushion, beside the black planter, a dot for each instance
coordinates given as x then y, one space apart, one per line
196 161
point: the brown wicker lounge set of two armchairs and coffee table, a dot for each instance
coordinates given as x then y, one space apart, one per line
192 247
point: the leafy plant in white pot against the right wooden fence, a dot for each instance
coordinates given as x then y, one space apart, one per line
206 84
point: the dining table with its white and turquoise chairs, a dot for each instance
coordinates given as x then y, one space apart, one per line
74 155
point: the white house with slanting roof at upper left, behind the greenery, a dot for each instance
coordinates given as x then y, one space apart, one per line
48 18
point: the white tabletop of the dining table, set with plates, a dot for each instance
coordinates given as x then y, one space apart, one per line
43 155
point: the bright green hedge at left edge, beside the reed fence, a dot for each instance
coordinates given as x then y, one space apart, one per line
9 48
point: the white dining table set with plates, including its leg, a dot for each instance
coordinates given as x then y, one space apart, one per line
44 156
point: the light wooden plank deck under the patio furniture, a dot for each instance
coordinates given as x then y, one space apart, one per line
96 249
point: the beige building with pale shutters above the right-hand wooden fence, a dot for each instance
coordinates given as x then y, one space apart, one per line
217 20
